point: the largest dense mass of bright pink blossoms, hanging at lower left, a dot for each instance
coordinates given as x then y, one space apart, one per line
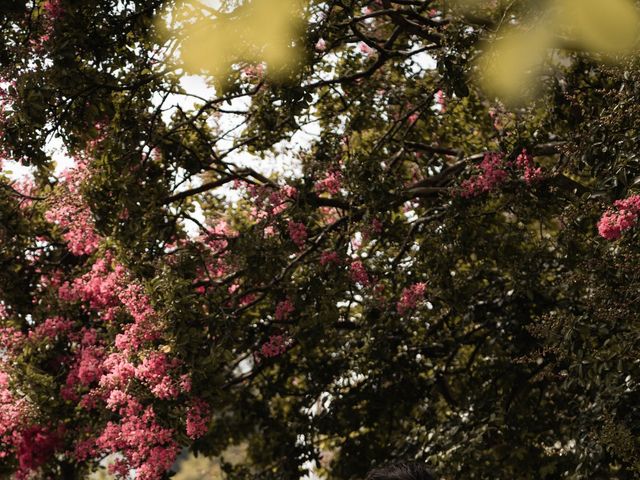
100 378
